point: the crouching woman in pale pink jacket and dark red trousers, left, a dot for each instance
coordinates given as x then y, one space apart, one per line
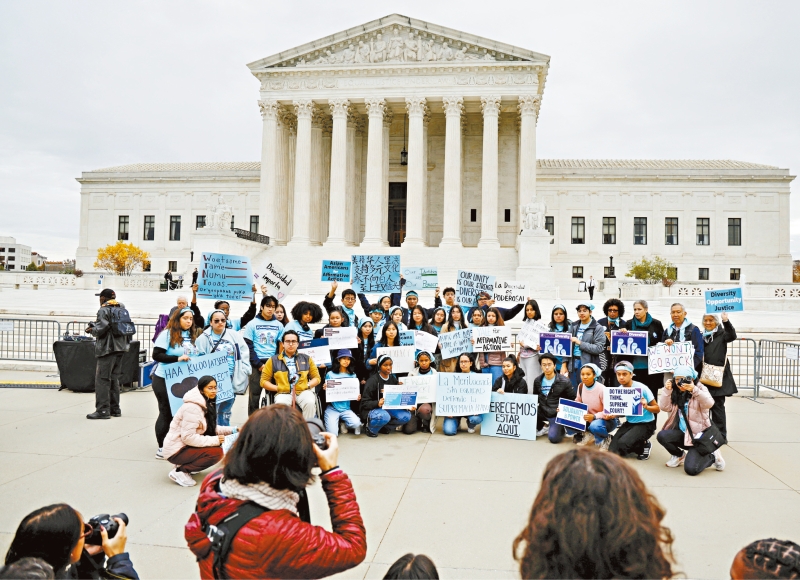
194 441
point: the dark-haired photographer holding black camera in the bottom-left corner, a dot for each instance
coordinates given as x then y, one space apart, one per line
57 534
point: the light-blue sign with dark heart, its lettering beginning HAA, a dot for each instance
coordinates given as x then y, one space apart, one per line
181 377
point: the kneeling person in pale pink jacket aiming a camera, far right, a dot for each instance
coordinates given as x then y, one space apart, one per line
686 400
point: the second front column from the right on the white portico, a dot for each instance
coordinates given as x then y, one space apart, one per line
491 112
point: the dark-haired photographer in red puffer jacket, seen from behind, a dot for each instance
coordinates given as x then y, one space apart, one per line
264 472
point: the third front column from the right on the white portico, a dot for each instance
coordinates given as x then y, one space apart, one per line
451 223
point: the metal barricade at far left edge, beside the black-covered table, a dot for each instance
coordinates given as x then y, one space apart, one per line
28 338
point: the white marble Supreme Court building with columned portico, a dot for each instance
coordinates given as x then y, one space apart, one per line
407 137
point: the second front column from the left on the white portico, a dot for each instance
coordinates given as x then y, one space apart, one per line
301 223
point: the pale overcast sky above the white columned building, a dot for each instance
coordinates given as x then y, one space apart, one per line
91 84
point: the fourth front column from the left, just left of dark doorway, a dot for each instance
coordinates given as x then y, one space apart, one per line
375 206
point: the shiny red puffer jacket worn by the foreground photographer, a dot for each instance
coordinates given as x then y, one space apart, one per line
277 544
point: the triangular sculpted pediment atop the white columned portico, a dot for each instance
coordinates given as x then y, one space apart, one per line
398 40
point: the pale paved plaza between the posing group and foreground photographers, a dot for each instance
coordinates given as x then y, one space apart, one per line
461 500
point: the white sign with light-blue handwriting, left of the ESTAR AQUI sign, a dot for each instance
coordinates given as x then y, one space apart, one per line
459 394
